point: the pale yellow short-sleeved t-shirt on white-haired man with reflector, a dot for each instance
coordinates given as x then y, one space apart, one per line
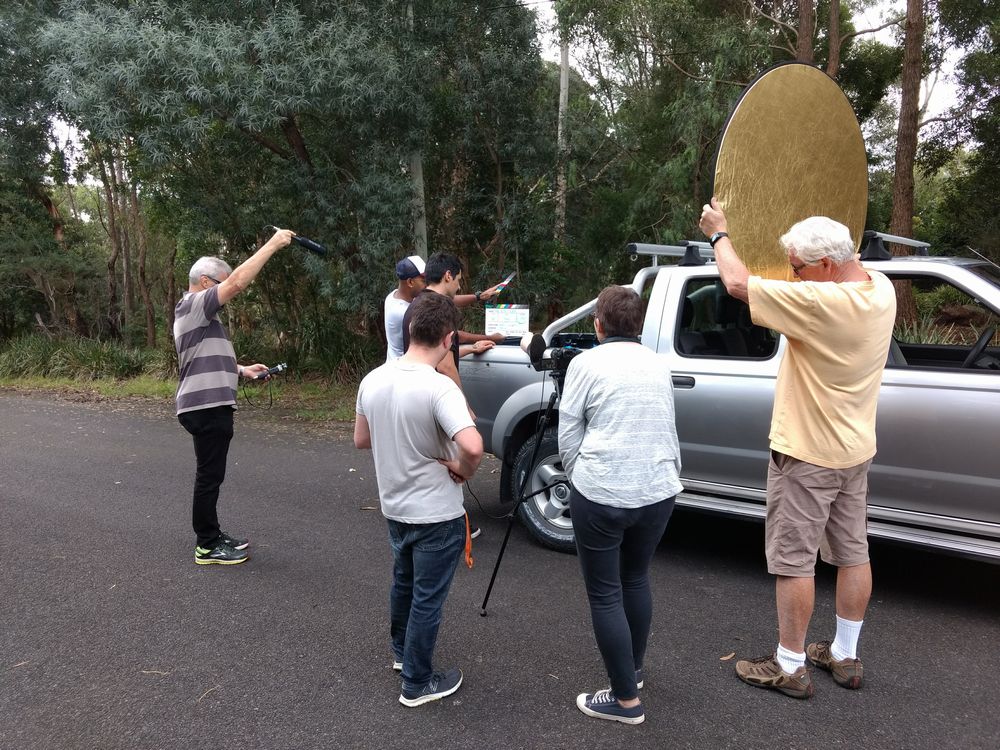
828 383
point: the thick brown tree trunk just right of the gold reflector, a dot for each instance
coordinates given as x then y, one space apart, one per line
901 222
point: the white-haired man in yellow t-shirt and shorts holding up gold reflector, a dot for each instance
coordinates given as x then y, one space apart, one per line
837 319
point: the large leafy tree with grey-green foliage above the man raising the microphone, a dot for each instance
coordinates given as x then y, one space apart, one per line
304 114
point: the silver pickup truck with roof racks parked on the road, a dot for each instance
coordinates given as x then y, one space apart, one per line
936 479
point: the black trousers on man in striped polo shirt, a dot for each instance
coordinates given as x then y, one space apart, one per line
212 430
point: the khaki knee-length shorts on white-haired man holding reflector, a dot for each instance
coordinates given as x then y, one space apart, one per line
811 508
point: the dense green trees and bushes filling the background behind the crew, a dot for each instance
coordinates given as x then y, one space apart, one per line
206 121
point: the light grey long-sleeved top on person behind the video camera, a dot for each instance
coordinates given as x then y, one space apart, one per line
617 437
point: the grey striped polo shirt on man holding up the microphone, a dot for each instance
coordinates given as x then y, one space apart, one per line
205 355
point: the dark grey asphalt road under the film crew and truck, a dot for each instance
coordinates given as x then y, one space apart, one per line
111 637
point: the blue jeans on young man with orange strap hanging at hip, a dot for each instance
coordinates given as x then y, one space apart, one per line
425 557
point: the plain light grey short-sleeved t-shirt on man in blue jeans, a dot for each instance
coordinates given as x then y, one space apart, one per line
413 413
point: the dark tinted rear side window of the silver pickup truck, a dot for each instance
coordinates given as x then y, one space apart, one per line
713 324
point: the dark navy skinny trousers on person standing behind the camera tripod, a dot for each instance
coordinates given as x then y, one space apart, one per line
615 546
